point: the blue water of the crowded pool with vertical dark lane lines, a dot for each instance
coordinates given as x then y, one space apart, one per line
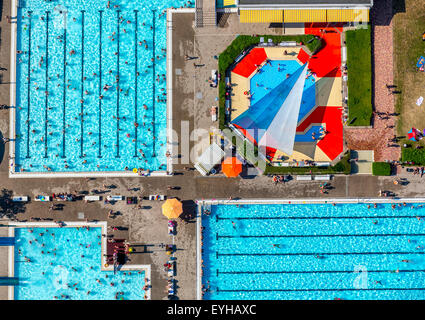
73 50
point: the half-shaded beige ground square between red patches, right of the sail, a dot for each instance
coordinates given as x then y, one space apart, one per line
328 92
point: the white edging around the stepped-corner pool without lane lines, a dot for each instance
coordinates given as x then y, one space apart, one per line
72 224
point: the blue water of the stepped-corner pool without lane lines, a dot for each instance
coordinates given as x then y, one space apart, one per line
41 280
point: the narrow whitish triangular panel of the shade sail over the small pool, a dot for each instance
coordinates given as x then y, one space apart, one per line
281 132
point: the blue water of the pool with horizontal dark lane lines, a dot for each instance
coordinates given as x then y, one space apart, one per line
314 251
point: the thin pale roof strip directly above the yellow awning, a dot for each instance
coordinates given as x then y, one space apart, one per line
306 3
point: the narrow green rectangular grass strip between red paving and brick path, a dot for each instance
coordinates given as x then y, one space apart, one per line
359 62
